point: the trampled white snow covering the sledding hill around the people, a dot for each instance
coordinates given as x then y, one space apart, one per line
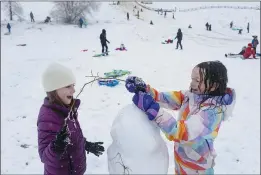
164 67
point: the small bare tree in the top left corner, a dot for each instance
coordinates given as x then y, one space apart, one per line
12 9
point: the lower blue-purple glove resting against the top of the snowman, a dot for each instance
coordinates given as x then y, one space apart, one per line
145 102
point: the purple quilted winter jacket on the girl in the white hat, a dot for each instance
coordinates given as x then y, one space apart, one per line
50 121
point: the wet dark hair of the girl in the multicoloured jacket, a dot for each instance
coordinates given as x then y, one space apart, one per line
215 75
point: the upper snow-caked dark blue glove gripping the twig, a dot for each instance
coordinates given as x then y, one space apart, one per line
135 84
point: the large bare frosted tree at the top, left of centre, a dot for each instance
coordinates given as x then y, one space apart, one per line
70 11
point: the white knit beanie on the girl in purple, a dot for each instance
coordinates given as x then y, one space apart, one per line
57 76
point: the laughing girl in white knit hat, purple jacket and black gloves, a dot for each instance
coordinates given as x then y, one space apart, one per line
61 144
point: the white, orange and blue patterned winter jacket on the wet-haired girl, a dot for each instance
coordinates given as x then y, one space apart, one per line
195 129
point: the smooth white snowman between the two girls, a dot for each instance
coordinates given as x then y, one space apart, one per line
137 146
